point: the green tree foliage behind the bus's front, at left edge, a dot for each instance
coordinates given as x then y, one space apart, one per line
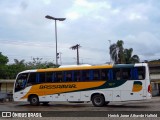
9 71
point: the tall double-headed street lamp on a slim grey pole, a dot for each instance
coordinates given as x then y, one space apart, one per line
59 19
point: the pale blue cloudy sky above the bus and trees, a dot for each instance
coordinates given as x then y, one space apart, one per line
25 33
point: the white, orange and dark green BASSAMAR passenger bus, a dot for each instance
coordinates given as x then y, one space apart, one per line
100 84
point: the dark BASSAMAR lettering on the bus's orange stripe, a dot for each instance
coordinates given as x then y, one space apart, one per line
57 86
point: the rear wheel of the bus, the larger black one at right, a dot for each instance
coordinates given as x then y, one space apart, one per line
98 100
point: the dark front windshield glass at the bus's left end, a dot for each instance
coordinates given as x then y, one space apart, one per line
21 82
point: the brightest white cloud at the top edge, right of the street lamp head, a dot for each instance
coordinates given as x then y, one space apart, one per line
85 8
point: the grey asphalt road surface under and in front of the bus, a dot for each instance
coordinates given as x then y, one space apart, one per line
59 110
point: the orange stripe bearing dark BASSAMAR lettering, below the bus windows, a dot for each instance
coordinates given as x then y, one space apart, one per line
57 88
